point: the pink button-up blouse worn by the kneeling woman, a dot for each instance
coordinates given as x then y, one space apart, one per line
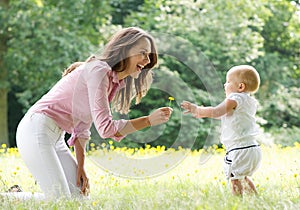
81 98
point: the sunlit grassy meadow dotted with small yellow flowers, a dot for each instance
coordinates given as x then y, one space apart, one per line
189 185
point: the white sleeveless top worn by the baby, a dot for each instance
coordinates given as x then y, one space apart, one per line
239 128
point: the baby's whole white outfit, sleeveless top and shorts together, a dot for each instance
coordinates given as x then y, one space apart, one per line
238 133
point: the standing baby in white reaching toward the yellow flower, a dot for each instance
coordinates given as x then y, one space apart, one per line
238 124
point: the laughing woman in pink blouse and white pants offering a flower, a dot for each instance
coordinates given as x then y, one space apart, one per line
82 97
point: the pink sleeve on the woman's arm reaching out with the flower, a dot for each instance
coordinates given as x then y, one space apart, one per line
98 87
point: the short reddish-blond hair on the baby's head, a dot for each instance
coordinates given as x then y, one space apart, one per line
246 77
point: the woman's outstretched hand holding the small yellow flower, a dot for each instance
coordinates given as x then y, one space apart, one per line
160 116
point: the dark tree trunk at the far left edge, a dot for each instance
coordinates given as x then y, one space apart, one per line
3 84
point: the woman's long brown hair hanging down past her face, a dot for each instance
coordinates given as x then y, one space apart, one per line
116 54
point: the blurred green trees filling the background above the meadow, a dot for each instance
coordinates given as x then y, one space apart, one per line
39 39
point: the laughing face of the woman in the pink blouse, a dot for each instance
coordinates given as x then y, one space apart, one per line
138 57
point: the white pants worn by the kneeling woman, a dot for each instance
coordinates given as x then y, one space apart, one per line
41 145
